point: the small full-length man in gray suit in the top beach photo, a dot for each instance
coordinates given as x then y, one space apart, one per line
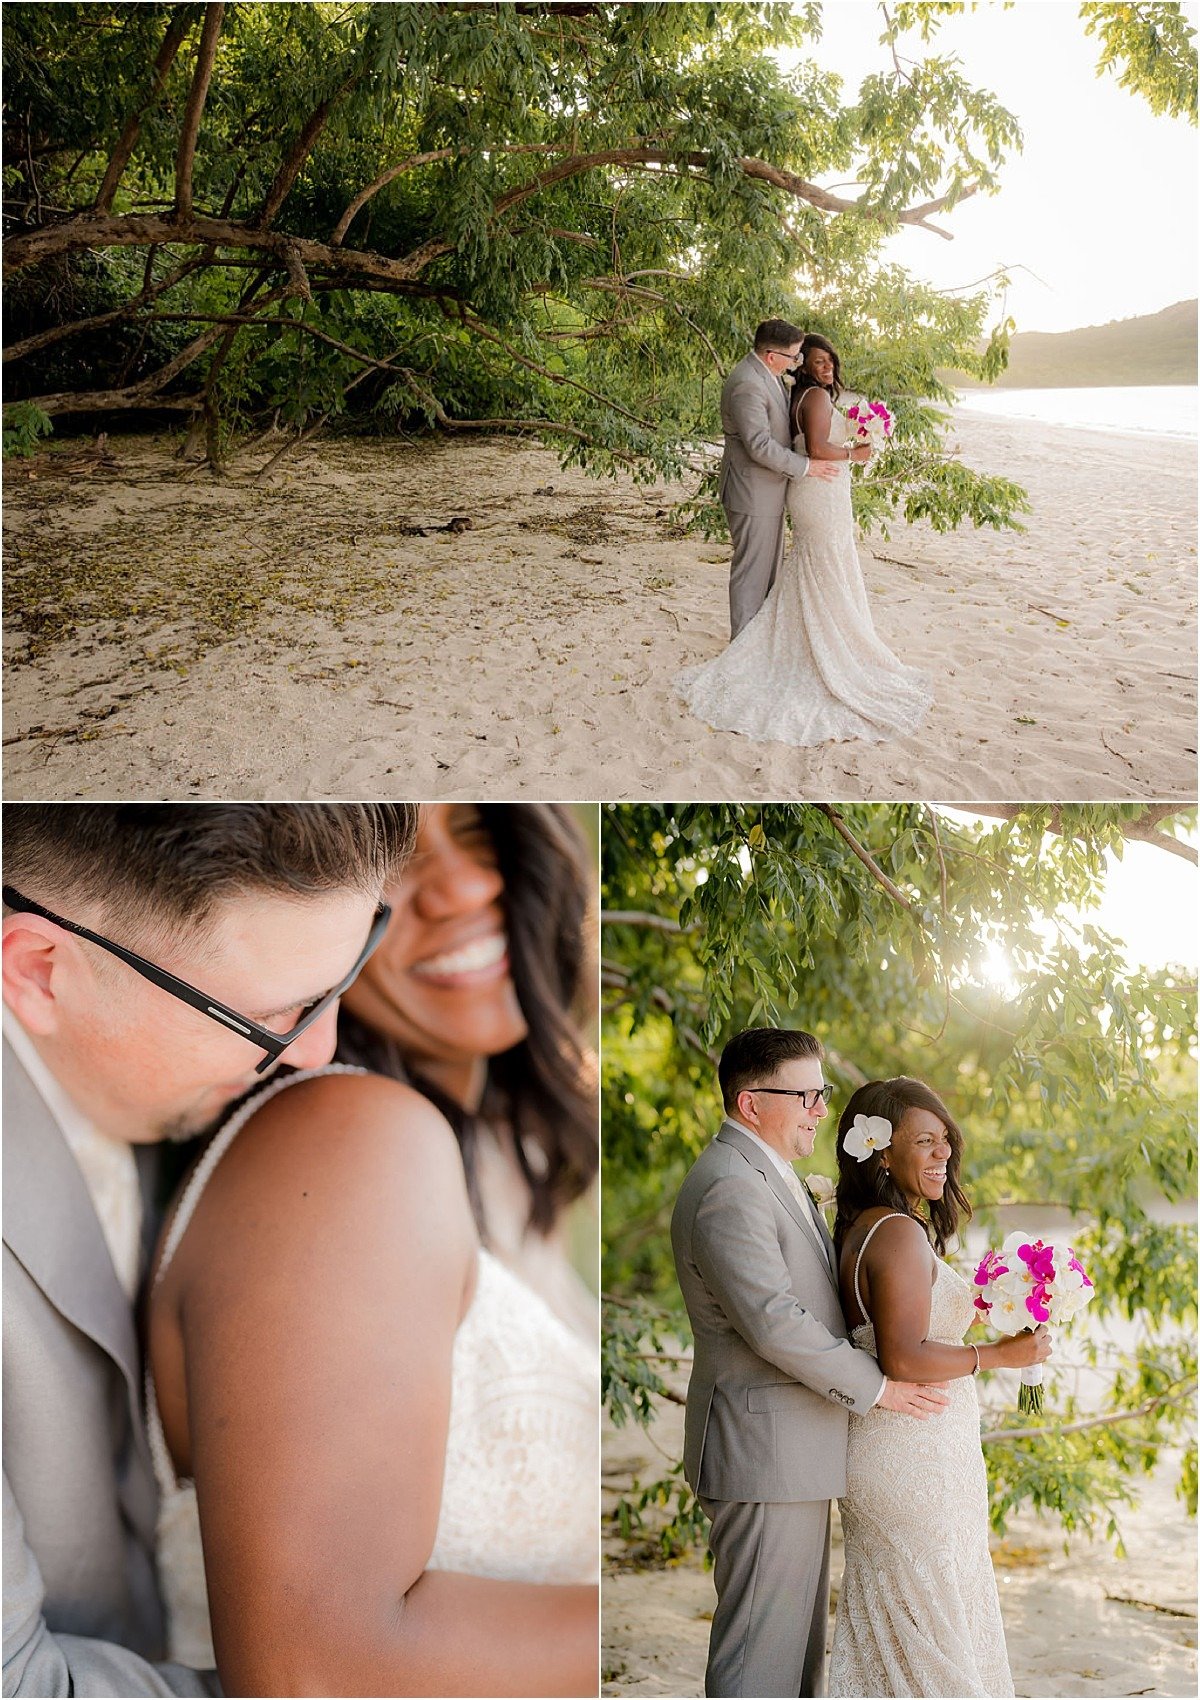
759 463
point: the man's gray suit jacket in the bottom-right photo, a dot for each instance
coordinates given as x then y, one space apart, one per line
774 1374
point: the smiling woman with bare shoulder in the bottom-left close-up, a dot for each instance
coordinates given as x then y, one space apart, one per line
383 1432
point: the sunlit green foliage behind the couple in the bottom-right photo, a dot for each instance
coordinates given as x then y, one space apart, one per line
871 926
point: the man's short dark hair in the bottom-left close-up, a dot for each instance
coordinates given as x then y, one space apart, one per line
169 864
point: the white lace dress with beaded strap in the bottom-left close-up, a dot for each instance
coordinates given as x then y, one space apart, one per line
523 1454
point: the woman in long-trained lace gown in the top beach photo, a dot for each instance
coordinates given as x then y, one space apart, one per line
810 667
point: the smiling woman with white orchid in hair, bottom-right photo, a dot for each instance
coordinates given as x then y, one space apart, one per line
919 1611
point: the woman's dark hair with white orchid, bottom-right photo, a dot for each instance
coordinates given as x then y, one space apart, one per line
868 1184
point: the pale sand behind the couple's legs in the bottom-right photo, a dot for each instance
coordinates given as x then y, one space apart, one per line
1080 1623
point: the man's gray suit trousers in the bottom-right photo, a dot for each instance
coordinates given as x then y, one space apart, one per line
773 1578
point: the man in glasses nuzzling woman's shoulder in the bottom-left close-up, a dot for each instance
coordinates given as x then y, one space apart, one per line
271 909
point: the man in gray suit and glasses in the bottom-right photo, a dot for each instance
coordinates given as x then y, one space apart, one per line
774 1376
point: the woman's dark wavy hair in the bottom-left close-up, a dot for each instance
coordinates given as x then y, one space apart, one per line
545 1089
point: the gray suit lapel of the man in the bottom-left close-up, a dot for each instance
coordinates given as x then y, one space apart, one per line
52 1227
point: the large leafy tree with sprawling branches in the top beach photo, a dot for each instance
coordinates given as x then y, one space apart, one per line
550 218
